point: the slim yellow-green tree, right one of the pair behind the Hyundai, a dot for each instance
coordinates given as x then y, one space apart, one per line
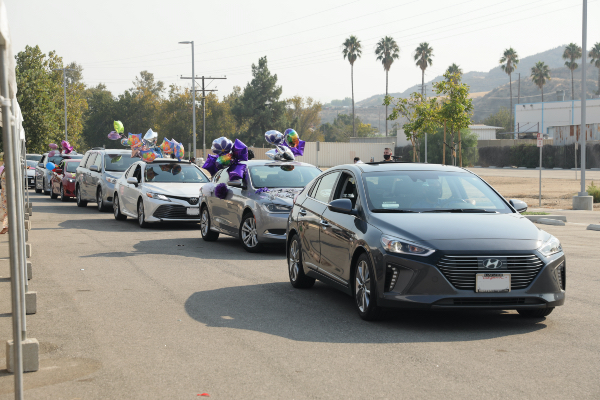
456 108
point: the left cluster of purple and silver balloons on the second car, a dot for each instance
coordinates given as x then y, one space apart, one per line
228 155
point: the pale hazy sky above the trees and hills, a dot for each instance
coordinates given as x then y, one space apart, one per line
116 39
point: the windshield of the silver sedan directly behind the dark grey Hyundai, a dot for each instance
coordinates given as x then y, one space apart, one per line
282 176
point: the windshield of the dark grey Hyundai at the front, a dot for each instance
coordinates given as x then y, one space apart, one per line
430 191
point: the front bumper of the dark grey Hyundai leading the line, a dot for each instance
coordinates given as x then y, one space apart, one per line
421 285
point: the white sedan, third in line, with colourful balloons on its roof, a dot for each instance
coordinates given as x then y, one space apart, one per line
163 190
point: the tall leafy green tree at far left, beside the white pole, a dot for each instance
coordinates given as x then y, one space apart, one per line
36 96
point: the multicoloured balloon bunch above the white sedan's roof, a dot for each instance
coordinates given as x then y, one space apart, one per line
145 147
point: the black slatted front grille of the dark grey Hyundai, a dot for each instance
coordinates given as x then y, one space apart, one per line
461 270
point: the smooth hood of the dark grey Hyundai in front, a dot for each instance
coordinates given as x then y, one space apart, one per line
458 230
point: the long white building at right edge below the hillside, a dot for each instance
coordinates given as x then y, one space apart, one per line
538 117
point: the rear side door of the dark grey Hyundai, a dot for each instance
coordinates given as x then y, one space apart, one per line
309 218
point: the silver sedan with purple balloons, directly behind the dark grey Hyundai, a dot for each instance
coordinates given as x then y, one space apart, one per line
254 209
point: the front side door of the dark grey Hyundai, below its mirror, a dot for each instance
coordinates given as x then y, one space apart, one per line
337 231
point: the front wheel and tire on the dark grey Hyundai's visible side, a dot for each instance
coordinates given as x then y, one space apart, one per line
364 290
